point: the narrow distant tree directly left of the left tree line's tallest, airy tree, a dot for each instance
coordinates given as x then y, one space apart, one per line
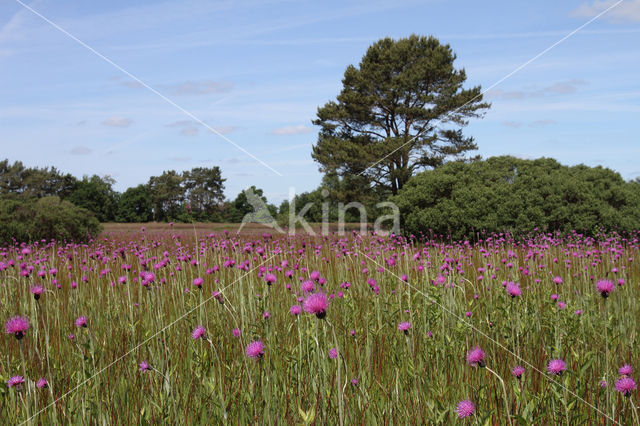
167 195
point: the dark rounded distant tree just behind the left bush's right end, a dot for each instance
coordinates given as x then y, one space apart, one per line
96 194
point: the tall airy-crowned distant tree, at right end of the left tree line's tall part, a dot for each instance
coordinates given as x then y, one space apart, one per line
204 191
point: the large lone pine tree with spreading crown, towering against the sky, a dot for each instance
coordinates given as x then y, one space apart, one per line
404 106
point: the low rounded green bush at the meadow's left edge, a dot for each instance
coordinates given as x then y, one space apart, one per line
45 218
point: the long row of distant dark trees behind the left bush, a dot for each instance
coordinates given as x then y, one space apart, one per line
196 194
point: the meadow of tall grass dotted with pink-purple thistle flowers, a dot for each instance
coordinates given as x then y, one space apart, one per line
185 327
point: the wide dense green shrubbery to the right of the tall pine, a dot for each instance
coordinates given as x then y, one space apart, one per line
506 193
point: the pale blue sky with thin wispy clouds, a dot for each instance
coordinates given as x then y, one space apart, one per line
132 88
